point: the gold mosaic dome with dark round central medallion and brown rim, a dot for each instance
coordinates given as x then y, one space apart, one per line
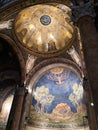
44 30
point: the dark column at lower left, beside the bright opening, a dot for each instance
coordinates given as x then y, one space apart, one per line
16 111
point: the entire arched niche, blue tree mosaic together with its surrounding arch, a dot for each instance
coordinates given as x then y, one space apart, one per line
43 84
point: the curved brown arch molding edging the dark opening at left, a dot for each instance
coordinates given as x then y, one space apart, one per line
17 53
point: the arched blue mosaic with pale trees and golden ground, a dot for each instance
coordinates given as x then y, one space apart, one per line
59 101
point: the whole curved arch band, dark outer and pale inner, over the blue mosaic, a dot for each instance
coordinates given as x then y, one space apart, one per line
44 66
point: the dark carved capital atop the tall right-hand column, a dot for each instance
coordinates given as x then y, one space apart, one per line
83 10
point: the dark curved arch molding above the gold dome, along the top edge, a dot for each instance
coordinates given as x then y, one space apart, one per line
20 4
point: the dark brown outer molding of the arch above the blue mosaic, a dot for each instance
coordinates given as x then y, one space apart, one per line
53 61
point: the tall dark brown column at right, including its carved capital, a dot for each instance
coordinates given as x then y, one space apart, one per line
89 37
